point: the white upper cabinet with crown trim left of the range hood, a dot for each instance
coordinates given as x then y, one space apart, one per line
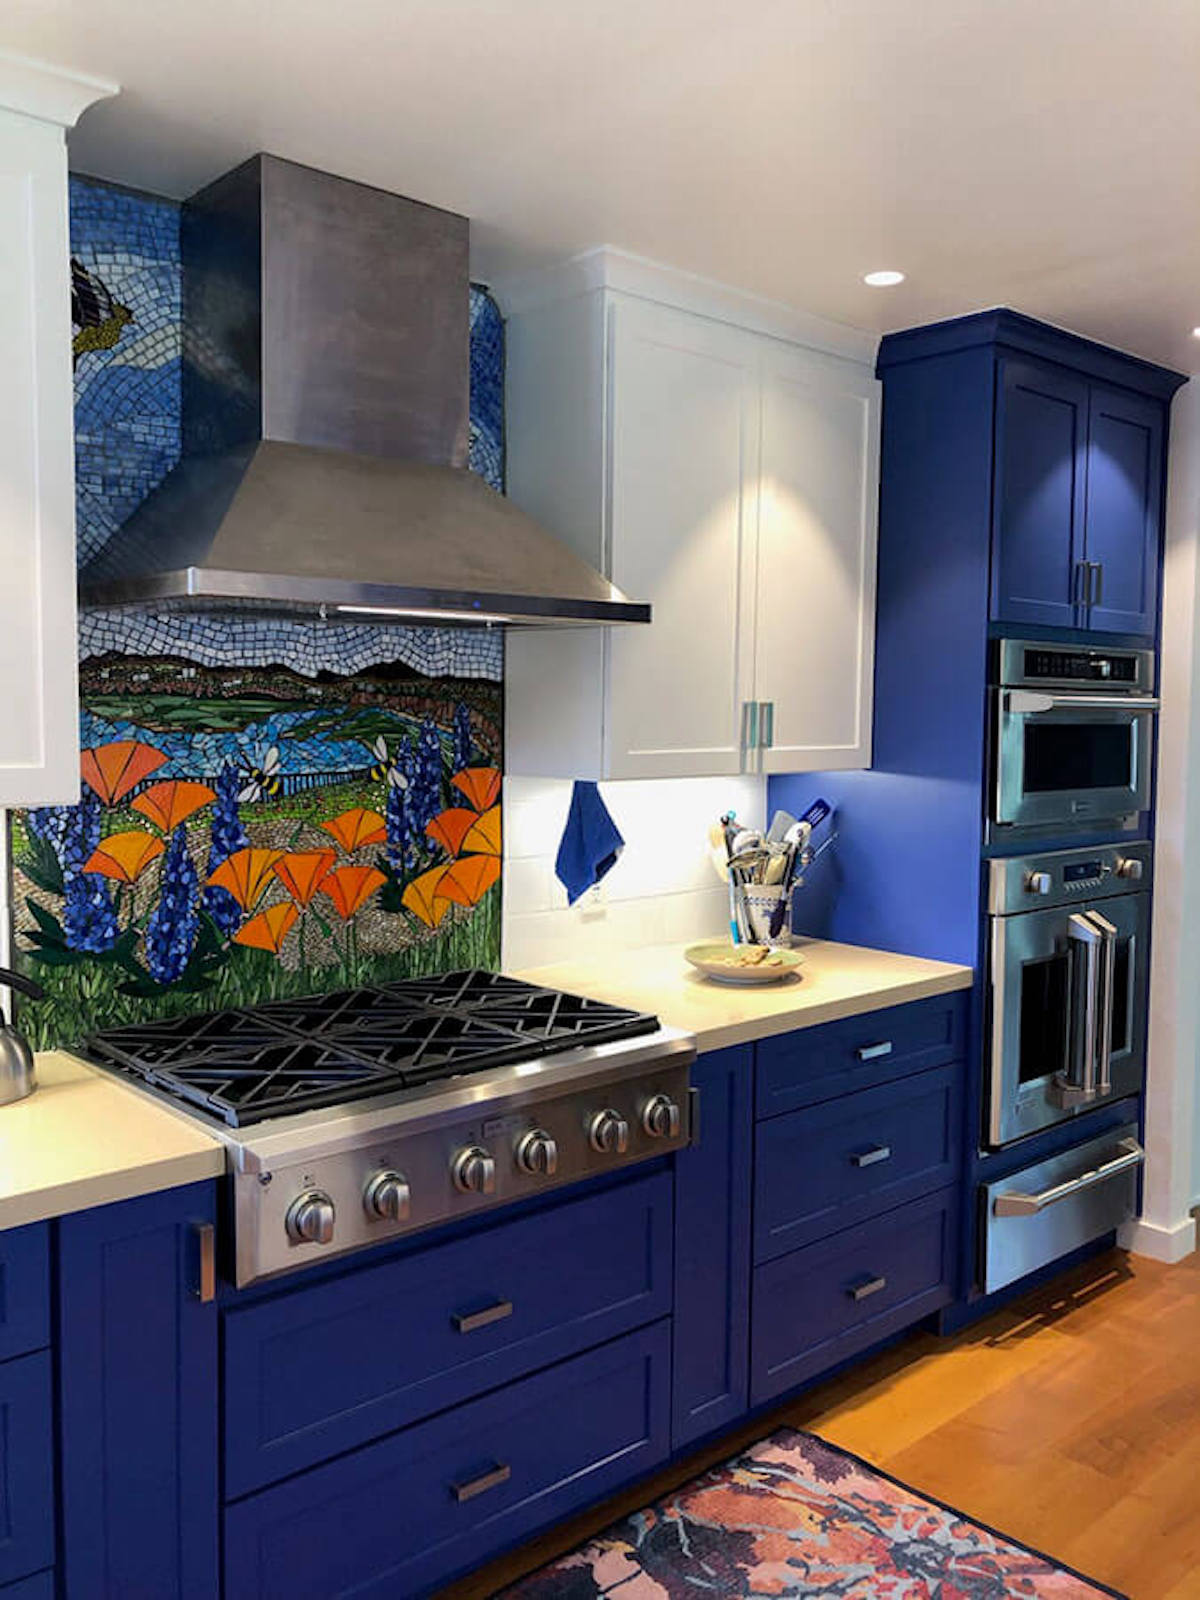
39 730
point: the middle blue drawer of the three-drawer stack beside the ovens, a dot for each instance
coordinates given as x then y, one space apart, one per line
830 1167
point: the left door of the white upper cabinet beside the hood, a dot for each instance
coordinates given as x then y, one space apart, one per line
682 452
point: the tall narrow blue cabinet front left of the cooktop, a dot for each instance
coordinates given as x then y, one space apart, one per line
138 1401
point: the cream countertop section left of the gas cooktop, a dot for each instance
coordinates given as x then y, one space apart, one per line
84 1140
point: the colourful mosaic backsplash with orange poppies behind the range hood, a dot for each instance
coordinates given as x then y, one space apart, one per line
268 807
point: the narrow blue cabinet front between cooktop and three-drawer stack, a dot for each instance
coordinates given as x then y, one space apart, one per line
713 1250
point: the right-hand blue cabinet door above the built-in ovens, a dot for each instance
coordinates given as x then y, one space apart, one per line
1126 476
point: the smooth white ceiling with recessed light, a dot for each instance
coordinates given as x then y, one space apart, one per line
1041 154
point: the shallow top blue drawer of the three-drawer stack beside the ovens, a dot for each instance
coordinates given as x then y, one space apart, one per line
822 1063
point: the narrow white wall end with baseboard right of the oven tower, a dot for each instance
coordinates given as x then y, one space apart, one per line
1167 1230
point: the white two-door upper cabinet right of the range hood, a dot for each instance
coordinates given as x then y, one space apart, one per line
726 476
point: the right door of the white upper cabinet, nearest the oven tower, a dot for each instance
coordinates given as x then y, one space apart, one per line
815 583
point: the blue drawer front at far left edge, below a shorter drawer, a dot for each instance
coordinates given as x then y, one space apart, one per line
26 1468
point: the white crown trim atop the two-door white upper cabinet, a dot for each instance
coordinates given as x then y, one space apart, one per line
620 271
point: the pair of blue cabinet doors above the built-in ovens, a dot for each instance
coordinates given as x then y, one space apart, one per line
1078 513
